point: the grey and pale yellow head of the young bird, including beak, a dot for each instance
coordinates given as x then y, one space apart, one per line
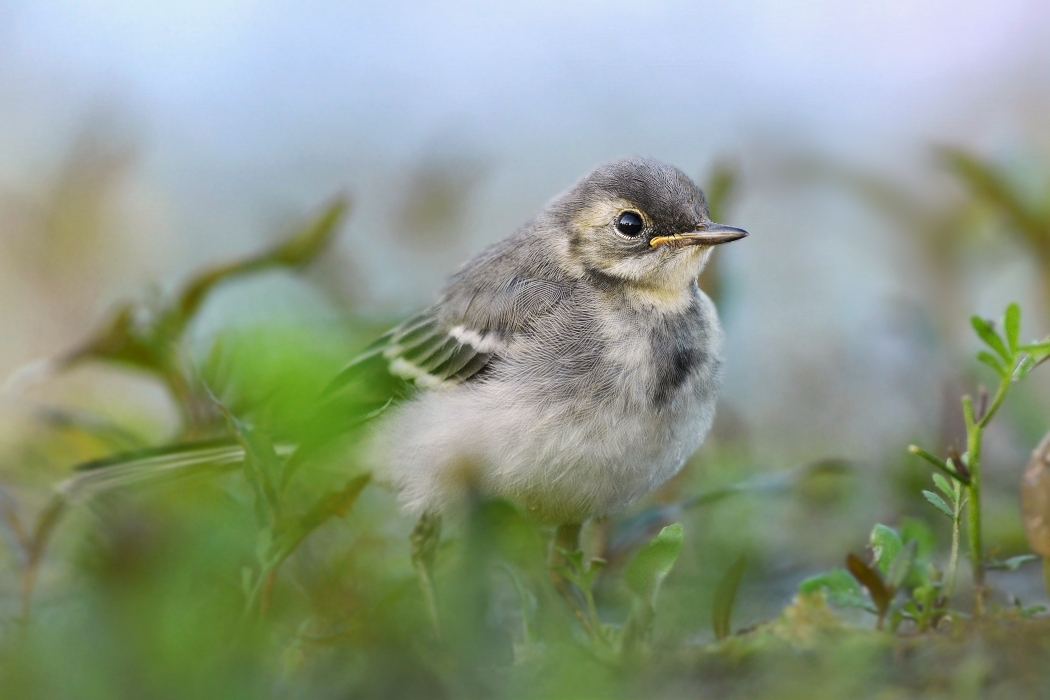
639 223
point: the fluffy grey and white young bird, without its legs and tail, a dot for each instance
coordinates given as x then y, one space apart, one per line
574 366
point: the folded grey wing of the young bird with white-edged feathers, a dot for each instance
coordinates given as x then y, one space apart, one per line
457 338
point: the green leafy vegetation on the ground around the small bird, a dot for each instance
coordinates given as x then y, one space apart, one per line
275 567
